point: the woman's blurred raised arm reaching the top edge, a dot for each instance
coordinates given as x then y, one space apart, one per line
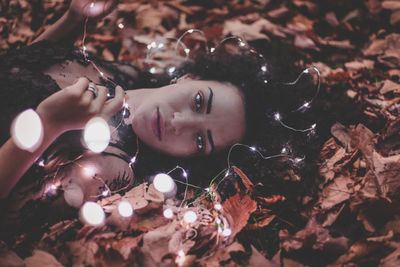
70 25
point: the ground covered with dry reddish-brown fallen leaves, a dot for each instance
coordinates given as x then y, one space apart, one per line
355 218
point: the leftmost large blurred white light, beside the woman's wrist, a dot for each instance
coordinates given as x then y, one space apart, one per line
27 130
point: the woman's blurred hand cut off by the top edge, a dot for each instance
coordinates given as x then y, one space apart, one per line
91 8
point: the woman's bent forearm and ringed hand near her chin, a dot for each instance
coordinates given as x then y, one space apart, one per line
68 109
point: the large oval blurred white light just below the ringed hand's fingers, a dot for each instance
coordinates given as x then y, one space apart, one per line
97 134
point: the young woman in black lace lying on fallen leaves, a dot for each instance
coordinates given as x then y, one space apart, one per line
216 102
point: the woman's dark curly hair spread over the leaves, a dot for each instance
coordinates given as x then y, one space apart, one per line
264 94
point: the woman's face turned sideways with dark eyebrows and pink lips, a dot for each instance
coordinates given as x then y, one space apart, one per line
191 117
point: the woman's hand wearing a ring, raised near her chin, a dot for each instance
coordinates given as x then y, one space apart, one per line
71 107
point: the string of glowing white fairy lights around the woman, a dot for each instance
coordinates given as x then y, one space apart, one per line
97 136
